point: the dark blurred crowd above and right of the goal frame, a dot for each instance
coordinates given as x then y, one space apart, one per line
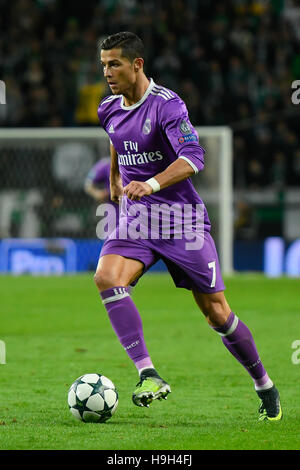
232 62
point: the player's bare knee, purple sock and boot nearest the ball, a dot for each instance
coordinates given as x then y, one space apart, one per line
113 276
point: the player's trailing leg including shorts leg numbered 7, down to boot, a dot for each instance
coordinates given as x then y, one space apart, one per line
197 268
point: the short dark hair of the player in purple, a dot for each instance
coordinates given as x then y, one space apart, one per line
132 46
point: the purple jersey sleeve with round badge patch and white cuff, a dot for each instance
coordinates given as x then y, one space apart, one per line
181 134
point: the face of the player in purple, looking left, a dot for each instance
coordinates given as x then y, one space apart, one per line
119 71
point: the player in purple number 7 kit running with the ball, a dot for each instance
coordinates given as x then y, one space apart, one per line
154 153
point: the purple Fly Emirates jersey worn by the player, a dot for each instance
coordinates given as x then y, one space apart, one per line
148 136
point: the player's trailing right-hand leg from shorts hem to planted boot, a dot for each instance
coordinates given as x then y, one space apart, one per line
238 339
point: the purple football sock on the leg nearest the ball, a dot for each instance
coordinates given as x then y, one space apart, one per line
127 324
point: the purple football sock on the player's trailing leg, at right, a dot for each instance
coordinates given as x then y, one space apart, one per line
238 339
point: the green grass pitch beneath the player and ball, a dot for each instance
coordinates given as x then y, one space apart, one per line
56 329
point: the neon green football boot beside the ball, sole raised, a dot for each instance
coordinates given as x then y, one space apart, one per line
150 387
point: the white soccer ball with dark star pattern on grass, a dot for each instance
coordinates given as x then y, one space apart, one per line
93 398
